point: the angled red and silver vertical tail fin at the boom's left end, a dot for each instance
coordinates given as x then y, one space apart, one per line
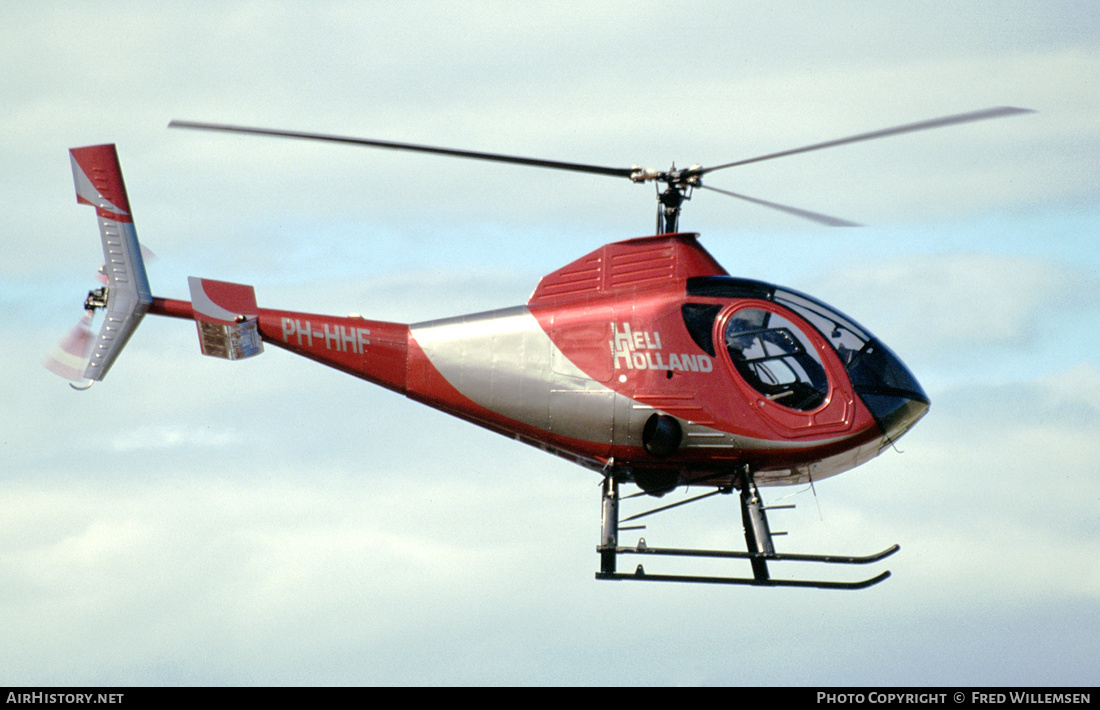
98 179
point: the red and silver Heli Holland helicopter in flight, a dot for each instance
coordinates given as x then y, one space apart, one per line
644 361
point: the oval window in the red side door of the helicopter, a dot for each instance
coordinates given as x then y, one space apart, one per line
776 359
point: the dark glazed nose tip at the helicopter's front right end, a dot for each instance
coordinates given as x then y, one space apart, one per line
889 390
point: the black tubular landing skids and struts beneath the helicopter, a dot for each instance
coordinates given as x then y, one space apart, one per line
757 539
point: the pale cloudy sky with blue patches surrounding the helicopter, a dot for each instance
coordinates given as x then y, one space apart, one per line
192 521
